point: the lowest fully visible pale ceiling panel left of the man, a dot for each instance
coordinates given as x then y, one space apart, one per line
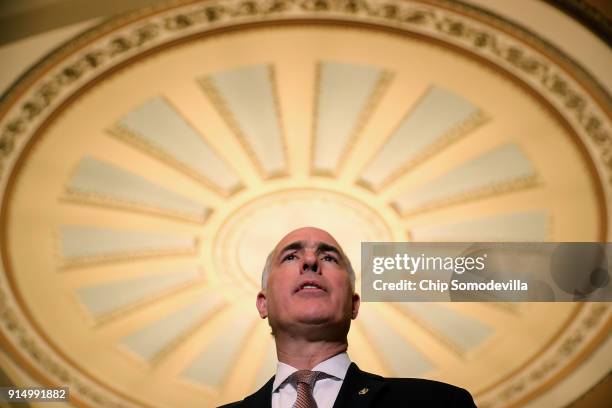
220 354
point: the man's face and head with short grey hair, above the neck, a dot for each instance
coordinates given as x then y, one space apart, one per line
308 284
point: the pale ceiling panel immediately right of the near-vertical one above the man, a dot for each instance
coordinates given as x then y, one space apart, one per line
438 117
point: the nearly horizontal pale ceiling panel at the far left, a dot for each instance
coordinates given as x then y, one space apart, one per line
85 242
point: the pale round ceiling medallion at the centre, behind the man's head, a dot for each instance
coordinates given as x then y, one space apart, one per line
244 239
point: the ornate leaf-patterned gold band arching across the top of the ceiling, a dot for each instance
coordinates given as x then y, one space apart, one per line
388 12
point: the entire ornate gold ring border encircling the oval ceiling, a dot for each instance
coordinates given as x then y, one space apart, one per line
42 94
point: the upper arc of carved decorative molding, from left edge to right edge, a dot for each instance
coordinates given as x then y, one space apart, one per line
443 23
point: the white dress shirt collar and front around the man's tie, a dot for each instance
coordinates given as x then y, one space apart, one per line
325 390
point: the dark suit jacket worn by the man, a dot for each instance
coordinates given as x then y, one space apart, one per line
361 389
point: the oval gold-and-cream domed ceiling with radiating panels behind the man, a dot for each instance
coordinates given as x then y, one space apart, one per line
150 165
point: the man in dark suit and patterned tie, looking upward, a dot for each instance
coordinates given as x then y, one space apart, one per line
308 296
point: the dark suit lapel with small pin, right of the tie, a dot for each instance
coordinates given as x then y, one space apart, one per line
359 388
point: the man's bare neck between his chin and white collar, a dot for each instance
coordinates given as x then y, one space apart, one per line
303 354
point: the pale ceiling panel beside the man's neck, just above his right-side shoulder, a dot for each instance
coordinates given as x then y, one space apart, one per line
403 359
